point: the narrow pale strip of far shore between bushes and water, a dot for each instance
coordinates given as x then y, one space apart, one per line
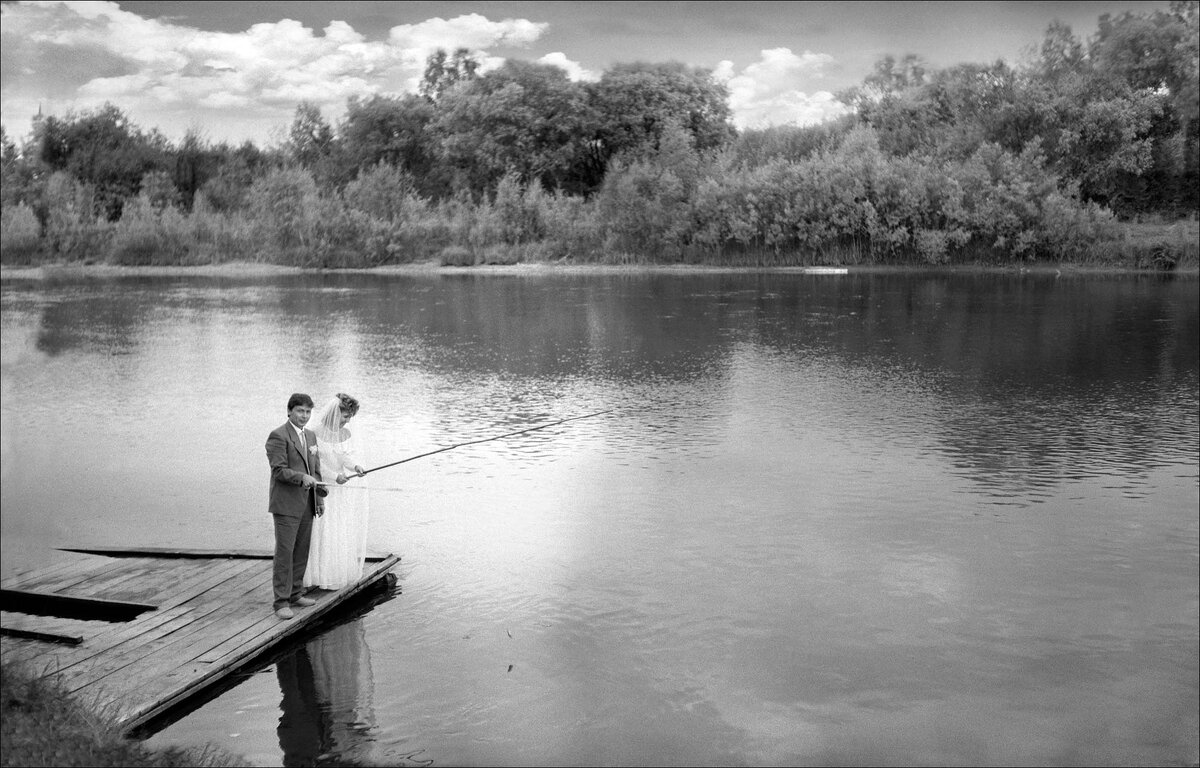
255 269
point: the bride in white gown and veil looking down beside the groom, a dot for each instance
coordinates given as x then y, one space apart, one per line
340 536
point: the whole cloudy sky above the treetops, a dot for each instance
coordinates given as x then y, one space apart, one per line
236 70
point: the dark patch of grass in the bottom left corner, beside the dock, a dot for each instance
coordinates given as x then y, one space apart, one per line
44 725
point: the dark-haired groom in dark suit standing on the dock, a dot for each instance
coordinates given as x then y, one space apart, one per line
295 500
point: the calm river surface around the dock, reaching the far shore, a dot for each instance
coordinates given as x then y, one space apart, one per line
886 518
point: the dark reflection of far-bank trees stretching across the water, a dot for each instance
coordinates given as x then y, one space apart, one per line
1021 376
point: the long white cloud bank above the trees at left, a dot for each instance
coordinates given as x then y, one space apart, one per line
175 75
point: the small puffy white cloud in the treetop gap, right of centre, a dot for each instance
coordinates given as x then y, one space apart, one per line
767 93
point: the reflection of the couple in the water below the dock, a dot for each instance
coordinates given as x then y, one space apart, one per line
328 700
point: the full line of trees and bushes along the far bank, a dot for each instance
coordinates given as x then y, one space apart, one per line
1048 159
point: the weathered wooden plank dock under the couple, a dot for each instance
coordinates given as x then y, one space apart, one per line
135 633
